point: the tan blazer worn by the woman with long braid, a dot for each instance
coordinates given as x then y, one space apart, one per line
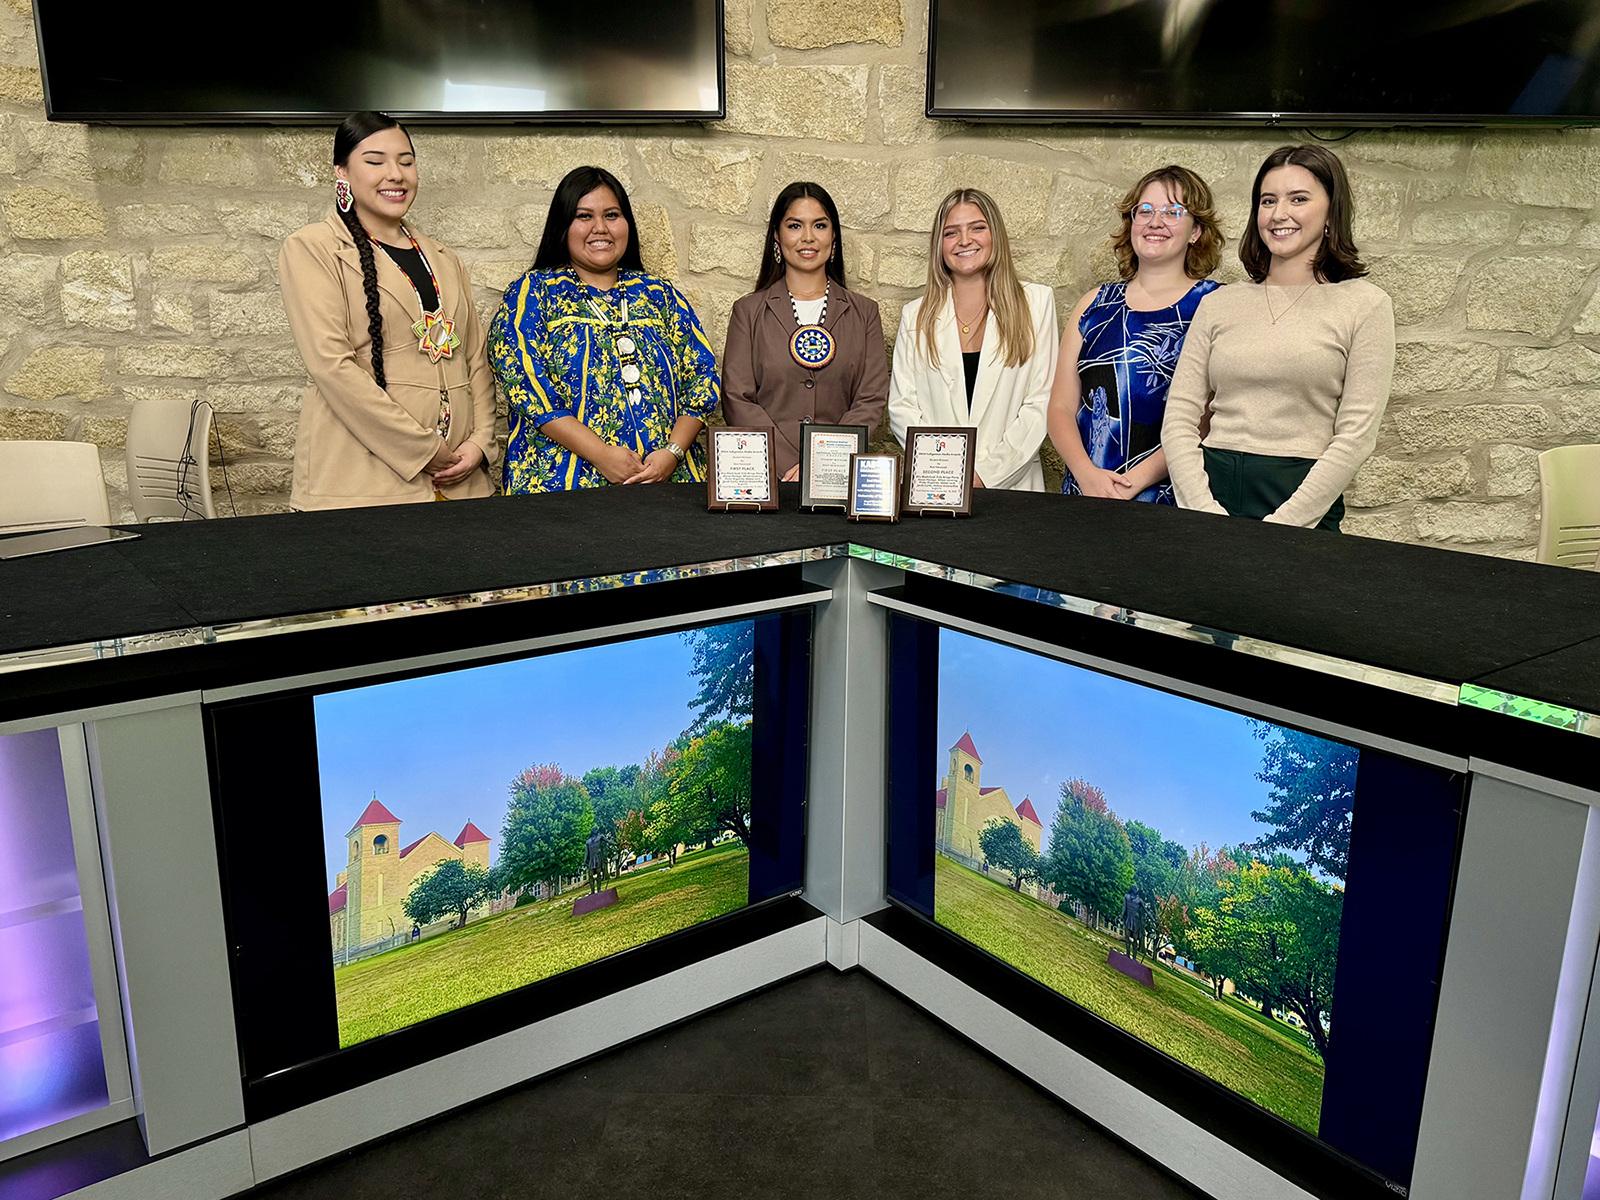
359 444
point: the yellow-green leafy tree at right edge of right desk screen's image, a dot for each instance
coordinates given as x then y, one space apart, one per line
1276 934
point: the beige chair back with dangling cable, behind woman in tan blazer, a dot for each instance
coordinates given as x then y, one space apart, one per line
169 460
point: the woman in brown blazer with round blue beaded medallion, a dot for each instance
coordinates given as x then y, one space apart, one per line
802 282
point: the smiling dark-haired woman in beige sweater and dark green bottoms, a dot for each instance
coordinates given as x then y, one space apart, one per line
1284 380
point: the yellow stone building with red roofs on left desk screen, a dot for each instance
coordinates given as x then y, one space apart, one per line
367 905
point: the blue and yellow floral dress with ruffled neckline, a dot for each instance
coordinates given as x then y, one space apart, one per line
558 358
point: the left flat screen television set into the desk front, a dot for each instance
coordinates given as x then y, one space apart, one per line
420 863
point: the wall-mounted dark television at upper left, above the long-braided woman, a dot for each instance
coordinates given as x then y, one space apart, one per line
418 60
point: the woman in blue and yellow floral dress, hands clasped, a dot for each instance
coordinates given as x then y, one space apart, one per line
607 372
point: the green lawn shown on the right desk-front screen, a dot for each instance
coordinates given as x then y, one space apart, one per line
1226 1041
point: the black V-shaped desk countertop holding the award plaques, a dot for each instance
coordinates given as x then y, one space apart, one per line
1447 617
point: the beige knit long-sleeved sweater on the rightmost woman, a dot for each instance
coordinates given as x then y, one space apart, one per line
1311 385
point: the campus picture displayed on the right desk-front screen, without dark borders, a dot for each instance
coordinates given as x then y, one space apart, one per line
1175 868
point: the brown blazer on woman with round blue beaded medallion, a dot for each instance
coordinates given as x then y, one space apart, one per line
764 386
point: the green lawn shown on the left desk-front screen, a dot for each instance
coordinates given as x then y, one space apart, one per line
401 988
